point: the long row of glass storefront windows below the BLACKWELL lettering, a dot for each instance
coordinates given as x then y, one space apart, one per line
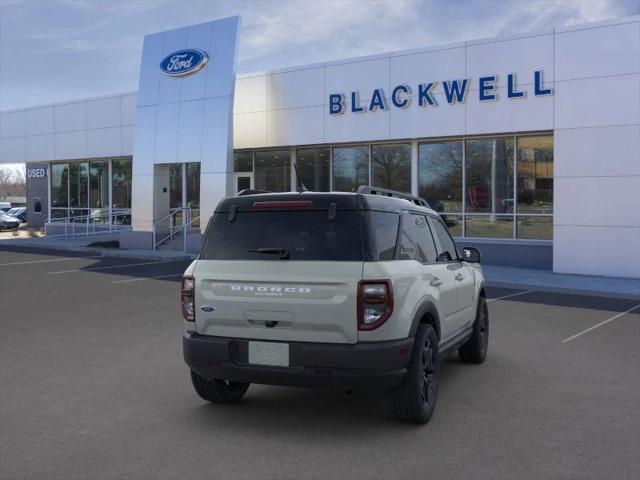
484 206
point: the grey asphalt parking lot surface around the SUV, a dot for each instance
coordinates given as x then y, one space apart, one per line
93 385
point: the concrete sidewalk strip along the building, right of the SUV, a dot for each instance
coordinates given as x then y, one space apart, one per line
547 281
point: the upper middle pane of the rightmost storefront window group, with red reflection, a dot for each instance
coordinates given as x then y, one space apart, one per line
489 172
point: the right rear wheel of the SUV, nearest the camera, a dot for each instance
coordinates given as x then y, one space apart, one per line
415 399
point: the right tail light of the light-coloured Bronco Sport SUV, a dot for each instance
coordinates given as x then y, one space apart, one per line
375 303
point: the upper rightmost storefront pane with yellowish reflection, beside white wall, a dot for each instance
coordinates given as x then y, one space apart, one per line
535 174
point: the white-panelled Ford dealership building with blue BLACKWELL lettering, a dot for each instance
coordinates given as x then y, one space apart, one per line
528 145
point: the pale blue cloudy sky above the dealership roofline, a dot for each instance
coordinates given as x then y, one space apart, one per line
56 50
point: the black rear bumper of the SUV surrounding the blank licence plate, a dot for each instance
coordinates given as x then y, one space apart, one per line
375 365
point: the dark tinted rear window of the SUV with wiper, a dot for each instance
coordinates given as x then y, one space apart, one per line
284 235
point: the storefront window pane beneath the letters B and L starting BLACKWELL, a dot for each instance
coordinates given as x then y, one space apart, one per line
350 168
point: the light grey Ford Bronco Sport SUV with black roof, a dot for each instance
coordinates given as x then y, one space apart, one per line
335 290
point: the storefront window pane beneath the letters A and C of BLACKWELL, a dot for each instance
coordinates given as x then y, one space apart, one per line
391 166
